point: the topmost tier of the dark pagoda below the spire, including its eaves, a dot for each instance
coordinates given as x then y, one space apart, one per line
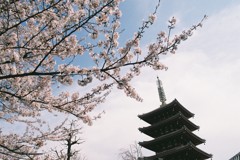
165 112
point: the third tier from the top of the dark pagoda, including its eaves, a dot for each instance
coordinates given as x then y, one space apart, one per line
172 140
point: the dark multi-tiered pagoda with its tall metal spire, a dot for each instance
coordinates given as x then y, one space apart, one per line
171 131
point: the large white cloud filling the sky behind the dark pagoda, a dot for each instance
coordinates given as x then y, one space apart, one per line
204 76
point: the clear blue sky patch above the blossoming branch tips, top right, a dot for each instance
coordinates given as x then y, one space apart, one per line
188 13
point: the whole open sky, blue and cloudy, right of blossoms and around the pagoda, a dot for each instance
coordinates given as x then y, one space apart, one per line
203 75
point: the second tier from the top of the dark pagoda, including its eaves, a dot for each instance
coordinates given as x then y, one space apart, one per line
168 125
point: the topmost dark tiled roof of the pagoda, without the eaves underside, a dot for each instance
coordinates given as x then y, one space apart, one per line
151 117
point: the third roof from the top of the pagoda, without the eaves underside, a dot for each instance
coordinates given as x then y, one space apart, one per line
155 146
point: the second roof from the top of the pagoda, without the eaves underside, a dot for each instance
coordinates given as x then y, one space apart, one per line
152 130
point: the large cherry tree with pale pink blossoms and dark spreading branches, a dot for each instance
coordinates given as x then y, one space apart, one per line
43 46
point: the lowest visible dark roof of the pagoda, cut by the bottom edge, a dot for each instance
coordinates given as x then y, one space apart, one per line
189 149
